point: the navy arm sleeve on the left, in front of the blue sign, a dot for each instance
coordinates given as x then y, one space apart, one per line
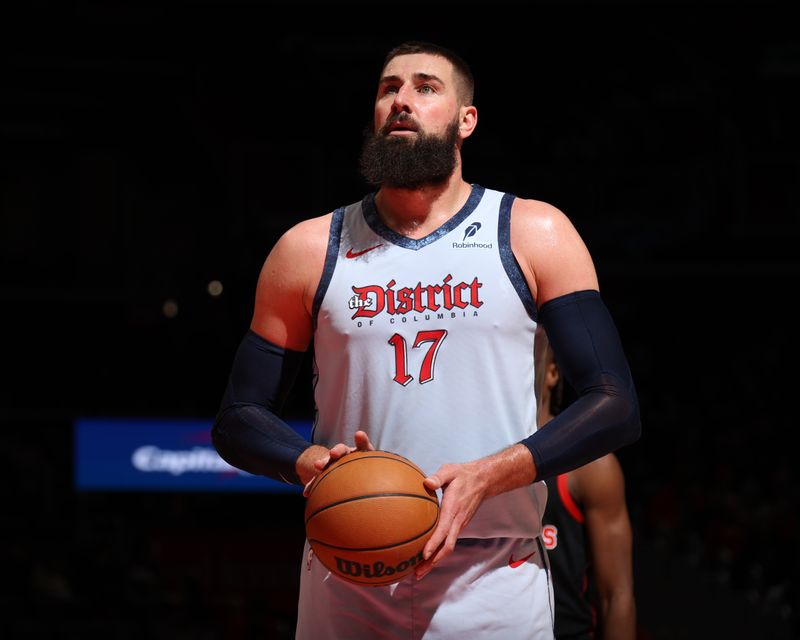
247 432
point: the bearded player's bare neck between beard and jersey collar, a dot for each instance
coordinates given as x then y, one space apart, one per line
417 212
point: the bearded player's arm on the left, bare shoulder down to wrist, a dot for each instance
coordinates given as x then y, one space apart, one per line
247 431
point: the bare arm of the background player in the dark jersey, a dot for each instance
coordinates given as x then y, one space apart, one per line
600 488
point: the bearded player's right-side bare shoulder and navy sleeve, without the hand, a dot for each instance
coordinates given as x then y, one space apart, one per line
584 338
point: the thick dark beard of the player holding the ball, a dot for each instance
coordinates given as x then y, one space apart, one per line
403 163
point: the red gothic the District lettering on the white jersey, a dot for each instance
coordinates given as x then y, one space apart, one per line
372 299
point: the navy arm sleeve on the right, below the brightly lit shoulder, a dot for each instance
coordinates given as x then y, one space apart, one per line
605 414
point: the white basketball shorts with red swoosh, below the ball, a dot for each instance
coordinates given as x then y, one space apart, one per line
486 589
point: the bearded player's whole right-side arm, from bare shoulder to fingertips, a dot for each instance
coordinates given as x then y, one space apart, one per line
556 265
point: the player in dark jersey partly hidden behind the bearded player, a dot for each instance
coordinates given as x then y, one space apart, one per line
586 531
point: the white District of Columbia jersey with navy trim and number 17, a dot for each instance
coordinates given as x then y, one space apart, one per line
427 345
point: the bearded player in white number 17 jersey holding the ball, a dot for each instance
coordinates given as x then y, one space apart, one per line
422 300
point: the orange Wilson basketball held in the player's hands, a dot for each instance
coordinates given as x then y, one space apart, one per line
368 517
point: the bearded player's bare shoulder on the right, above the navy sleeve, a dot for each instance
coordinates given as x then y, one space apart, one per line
550 251
